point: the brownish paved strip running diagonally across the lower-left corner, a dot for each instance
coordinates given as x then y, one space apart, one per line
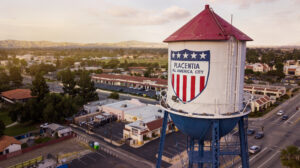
59 148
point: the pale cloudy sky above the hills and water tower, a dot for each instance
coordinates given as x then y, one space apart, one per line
268 22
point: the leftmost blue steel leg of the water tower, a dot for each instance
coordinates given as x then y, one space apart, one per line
162 139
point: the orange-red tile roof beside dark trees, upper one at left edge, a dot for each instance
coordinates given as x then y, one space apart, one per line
17 94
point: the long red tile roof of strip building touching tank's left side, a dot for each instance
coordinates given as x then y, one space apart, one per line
131 78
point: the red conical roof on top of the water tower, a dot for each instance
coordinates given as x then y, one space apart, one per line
207 26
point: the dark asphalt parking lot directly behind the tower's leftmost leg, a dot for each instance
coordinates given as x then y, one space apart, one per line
175 143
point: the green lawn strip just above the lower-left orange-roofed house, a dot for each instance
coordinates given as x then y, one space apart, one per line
20 129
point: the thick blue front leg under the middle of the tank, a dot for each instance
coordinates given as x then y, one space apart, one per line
215 144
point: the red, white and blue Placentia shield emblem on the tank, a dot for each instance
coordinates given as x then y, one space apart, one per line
189 73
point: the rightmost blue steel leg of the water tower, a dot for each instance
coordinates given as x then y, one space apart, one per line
243 144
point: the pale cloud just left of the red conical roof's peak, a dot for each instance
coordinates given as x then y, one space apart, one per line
131 16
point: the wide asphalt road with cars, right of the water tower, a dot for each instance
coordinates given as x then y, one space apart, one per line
278 135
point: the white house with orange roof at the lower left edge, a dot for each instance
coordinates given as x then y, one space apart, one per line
8 145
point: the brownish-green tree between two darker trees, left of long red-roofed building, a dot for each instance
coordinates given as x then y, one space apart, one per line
69 83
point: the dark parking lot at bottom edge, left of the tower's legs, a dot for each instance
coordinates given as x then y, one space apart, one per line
99 159
